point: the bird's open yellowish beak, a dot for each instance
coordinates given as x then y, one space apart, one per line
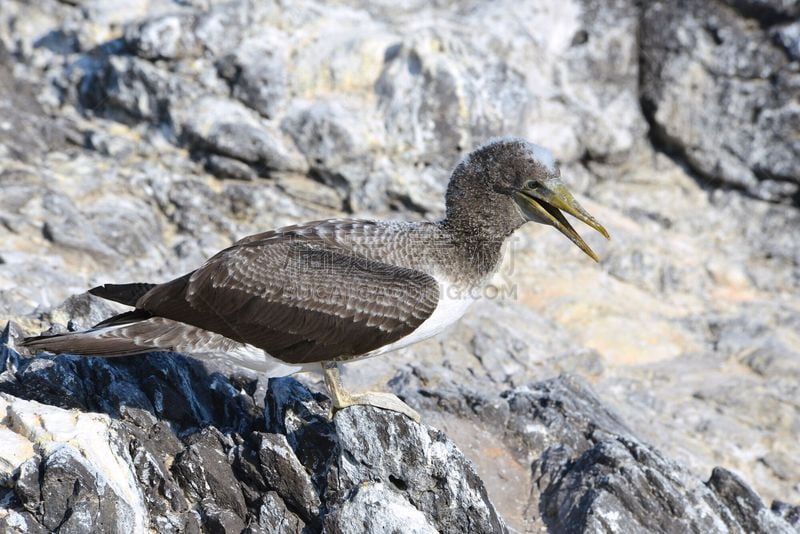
542 205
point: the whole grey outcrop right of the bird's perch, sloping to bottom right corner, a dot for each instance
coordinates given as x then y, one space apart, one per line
590 473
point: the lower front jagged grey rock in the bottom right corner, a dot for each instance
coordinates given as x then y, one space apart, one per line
620 482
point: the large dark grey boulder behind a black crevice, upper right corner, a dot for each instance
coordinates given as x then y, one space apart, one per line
717 90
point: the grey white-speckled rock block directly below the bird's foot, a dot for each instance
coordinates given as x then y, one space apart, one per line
419 463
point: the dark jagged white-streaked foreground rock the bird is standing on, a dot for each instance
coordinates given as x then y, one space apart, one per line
156 442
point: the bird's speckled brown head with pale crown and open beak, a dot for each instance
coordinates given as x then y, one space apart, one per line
508 182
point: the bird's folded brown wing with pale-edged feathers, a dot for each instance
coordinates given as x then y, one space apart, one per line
299 298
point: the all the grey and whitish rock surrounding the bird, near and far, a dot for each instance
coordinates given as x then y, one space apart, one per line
138 138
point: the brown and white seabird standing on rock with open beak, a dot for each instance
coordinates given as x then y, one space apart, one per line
316 295
